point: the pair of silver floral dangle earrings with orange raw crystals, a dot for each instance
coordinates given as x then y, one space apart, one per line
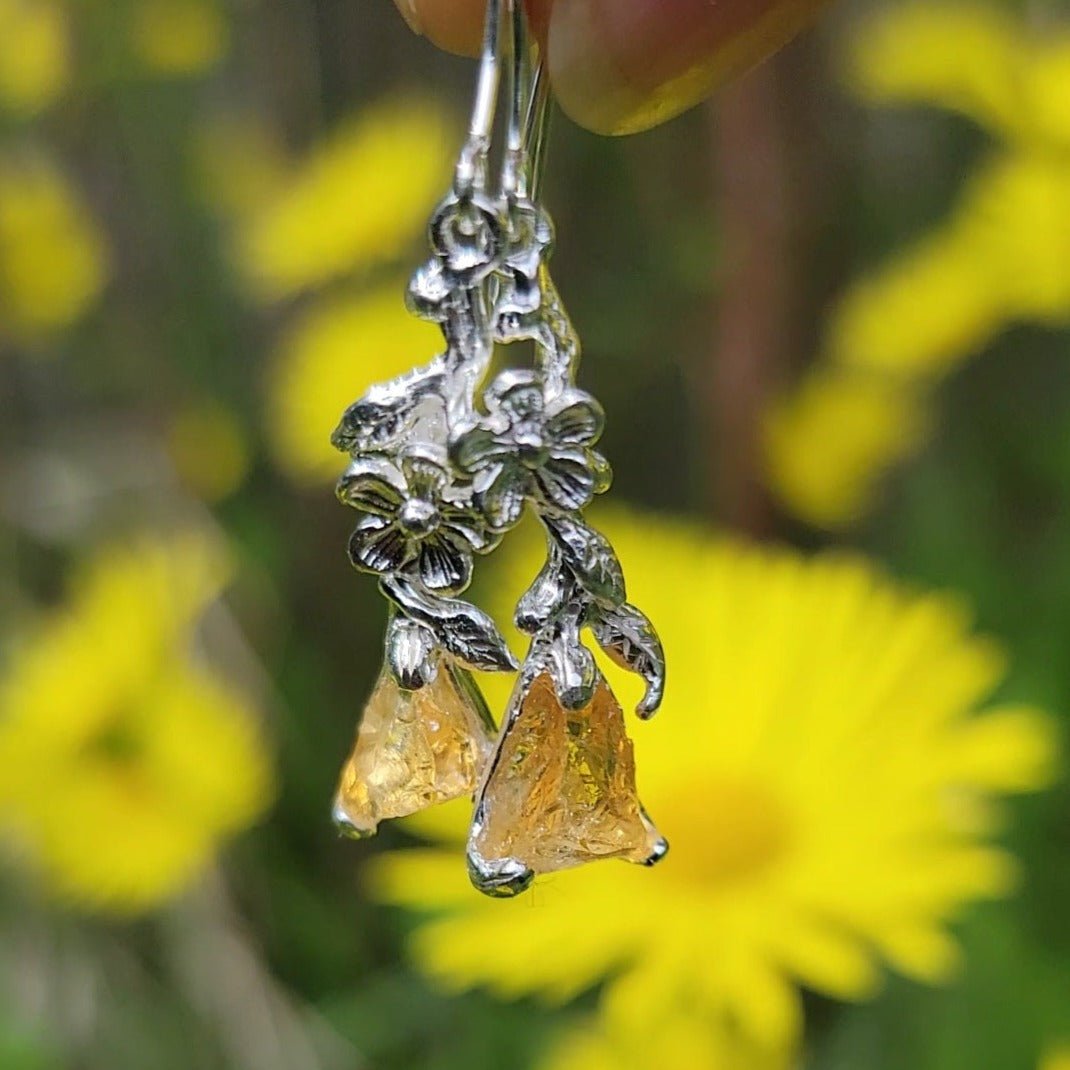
441 478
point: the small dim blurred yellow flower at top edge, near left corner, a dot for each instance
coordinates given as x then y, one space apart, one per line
179 37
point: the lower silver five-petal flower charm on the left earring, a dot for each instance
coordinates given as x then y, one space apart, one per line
412 526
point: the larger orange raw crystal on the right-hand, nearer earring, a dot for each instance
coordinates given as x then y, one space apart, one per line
560 791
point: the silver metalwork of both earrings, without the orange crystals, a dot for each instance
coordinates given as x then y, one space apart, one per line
440 478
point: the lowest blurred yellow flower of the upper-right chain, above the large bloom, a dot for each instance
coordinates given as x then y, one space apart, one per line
827 441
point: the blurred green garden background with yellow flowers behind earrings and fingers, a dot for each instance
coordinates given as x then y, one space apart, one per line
829 316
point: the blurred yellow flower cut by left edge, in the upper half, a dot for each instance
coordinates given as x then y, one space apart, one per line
53 257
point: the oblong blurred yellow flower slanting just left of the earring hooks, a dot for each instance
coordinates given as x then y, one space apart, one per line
357 201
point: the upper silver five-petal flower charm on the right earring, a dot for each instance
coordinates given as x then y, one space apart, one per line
529 447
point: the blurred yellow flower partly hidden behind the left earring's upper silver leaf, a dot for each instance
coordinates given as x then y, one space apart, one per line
328 360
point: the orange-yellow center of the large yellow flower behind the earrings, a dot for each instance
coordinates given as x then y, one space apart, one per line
725 832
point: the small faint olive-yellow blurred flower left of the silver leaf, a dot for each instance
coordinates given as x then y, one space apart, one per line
209 450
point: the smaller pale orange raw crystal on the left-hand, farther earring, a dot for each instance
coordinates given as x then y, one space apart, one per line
415 750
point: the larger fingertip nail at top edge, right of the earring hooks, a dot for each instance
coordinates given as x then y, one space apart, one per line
620 67
